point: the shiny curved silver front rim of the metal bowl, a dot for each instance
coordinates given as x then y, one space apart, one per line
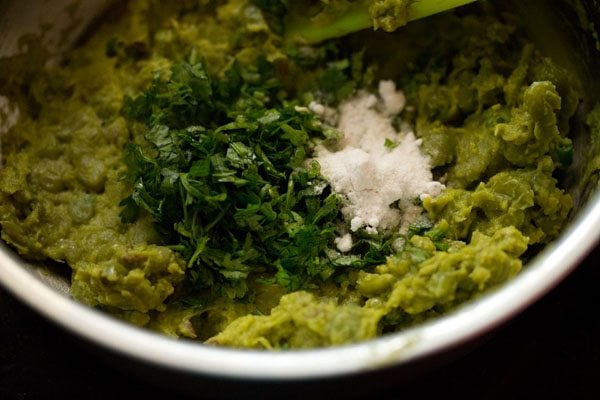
473 319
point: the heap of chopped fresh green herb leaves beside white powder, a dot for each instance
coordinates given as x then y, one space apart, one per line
223 174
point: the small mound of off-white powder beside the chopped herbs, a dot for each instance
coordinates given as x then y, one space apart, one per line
378 182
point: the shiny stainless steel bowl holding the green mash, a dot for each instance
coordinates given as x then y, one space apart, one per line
191 364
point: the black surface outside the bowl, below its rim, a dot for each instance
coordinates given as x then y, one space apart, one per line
552 350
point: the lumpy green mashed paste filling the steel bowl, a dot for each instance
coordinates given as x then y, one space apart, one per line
492 112
